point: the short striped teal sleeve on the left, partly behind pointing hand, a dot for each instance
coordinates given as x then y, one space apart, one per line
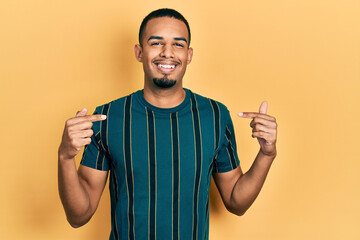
95 154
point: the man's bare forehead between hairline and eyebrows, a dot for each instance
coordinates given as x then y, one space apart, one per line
166 27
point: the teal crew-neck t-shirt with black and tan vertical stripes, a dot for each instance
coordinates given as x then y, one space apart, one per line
161 161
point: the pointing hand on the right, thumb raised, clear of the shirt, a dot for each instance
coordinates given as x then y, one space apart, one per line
264 128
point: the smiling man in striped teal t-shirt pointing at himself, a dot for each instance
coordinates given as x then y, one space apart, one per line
161 146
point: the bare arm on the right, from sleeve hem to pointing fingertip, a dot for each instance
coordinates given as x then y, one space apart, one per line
239 190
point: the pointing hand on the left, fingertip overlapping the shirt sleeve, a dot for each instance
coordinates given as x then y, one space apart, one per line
77 133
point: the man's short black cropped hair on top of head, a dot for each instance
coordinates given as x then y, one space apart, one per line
163 12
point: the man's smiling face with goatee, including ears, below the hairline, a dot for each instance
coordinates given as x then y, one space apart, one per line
165 52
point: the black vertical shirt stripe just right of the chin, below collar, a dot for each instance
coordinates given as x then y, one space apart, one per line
176 176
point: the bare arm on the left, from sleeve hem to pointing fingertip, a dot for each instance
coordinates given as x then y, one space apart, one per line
79 191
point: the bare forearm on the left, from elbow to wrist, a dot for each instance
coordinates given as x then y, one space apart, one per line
73 195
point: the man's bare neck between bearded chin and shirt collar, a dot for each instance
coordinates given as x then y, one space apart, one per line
164 98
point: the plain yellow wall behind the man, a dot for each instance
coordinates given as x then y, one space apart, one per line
57 57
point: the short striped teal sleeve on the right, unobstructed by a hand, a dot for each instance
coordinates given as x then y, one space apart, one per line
226 158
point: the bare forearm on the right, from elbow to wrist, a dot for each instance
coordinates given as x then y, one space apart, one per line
248 185
